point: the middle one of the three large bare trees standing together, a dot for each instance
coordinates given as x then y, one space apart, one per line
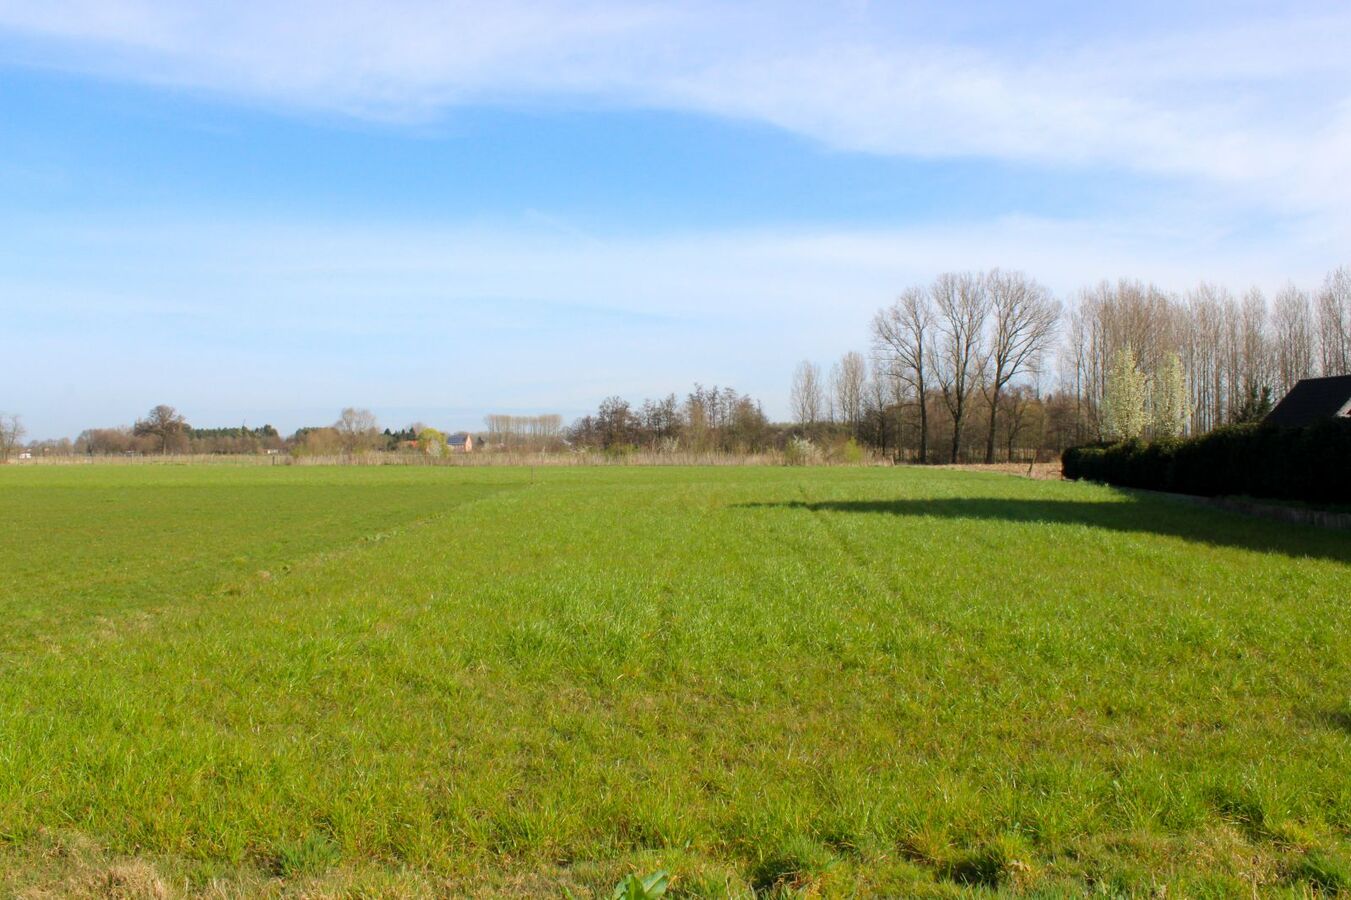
959 357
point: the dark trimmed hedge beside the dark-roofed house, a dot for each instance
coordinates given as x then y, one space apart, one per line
1310 464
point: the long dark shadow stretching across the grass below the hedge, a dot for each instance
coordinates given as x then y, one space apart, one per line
1133 516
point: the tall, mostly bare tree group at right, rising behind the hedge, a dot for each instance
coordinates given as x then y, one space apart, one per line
980 367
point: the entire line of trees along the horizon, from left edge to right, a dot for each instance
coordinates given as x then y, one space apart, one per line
975 367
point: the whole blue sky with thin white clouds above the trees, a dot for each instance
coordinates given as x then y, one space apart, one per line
265 211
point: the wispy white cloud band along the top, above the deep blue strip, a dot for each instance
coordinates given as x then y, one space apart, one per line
1258 102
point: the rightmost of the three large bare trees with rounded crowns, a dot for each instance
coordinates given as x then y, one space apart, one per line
1026 317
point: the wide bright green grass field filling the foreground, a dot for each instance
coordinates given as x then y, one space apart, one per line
840 682
